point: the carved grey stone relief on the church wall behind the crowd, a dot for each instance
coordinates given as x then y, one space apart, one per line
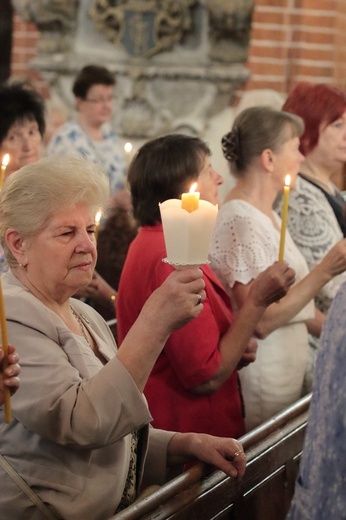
177 62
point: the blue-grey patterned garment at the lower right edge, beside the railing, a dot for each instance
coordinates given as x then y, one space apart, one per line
321 484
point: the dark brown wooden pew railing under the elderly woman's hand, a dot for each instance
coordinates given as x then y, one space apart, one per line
273 452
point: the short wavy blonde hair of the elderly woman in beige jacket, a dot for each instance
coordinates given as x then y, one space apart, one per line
31 196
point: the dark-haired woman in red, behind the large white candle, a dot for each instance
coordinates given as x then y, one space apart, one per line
197 369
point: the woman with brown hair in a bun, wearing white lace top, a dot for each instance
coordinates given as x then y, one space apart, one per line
262 148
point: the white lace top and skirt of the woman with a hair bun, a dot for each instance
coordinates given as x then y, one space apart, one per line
245 243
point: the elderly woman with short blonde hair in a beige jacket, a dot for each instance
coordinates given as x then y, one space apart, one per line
79 437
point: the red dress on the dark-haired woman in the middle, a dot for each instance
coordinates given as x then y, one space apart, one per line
190 355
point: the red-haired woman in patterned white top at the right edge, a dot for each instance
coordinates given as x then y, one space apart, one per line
316 215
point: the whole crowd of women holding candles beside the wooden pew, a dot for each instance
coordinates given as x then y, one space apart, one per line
230 343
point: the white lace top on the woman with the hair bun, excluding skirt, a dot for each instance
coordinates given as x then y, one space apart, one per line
245 243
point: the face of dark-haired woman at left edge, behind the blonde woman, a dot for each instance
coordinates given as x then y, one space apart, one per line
22 142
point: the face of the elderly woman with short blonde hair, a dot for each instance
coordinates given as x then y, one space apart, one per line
61 257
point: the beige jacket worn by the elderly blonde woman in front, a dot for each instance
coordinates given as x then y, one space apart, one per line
69 436
